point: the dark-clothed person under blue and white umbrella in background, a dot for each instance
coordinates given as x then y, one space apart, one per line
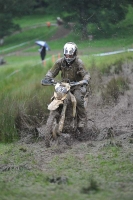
43 48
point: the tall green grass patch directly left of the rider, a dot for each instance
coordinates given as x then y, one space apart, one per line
27 97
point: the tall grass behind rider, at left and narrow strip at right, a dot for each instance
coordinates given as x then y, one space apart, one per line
21 90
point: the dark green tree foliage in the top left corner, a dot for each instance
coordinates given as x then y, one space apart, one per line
10 9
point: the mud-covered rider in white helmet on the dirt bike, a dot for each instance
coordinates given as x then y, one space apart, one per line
72 68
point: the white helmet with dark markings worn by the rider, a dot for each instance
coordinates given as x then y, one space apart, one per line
70 48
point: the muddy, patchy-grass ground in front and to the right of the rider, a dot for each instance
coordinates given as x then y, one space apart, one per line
96 165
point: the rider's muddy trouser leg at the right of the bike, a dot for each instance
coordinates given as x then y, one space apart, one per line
81 112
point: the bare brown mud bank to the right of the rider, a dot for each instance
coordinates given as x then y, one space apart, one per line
115 118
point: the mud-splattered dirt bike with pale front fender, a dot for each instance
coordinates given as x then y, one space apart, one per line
63 116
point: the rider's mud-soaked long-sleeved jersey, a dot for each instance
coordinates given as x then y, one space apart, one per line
74 72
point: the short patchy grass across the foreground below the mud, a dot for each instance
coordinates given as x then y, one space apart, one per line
94 176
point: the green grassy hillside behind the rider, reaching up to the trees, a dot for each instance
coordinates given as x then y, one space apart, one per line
20 76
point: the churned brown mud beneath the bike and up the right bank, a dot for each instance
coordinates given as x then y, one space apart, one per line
106 124
